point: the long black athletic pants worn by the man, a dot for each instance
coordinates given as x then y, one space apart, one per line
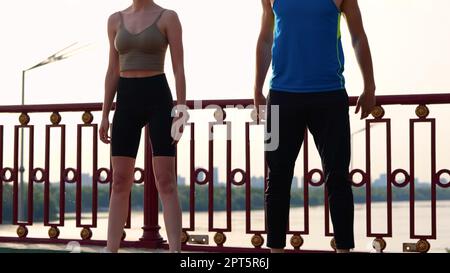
326 115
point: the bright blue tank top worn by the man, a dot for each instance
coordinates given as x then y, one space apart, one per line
307 53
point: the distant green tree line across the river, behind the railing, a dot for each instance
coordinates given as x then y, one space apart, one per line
316 198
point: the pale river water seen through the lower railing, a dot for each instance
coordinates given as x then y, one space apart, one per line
315 240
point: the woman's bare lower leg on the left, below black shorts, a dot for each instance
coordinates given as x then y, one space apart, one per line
123 176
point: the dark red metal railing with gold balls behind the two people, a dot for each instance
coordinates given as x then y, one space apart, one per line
151 237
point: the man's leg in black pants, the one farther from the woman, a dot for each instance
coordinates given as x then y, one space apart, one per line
328 121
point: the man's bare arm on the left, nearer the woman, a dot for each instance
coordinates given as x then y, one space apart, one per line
264 51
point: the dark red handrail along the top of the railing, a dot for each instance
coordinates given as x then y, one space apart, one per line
442 98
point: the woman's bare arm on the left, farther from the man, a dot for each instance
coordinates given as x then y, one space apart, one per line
111 79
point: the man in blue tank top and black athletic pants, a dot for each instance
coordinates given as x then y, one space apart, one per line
302 39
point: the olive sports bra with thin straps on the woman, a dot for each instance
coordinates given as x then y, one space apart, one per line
145 50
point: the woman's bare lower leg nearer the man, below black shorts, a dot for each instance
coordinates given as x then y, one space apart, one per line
166 182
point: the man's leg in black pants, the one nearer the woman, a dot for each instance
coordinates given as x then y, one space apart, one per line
281 164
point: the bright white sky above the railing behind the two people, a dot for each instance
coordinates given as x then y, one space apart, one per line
409 40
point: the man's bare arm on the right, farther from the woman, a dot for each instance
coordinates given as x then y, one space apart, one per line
352 13
